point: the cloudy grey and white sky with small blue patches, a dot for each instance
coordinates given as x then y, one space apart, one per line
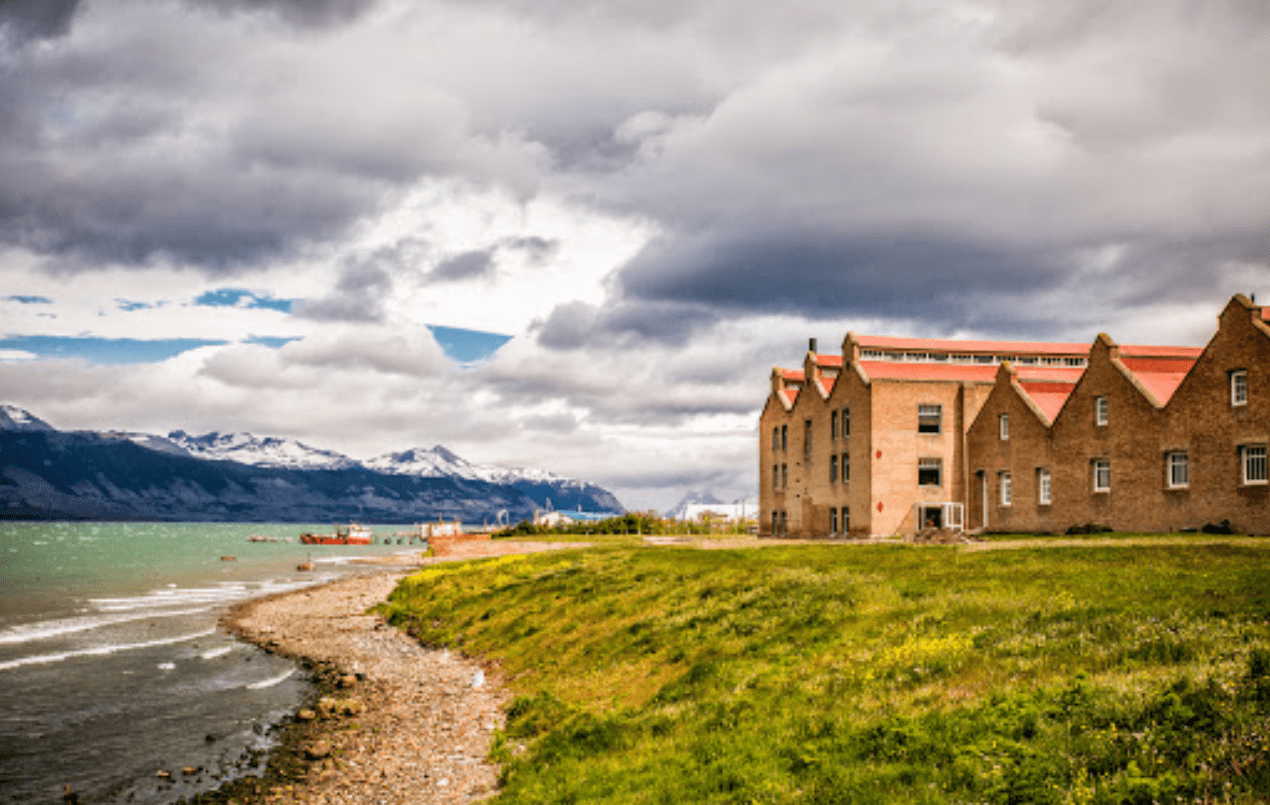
279 216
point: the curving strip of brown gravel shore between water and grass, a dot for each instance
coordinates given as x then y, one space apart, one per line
408 724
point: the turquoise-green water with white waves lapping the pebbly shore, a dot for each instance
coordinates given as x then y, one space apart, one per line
112 666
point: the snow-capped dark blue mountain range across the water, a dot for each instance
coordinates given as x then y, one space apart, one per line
46 474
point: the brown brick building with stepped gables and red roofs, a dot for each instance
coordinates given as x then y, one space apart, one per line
896 434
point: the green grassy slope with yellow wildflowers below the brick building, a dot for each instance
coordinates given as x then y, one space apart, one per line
871 675
